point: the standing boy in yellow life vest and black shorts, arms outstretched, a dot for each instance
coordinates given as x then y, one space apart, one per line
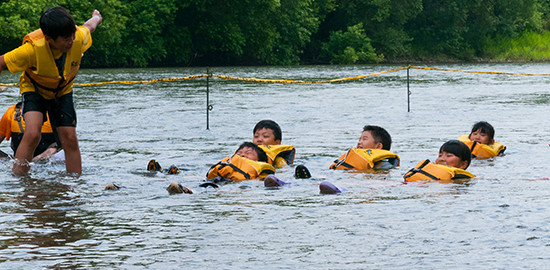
49 59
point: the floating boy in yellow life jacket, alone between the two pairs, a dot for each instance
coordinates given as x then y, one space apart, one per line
372 152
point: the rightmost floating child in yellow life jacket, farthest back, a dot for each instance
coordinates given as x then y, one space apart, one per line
481 141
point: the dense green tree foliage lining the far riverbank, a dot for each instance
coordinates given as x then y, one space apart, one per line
283 32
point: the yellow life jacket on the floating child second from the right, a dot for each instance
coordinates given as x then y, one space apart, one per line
426 170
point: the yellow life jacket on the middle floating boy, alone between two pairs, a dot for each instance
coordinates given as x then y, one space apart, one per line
365 159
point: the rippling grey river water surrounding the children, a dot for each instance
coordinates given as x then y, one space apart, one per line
498 220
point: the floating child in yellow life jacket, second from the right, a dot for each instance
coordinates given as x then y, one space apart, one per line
450 166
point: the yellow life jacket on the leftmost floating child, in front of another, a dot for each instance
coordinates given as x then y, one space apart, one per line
238 168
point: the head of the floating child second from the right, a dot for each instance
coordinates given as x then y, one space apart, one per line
454 153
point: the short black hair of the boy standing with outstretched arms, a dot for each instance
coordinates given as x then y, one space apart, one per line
57 22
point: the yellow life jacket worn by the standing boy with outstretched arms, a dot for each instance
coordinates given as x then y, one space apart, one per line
45 77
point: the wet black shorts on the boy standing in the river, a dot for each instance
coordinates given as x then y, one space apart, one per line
61 109
